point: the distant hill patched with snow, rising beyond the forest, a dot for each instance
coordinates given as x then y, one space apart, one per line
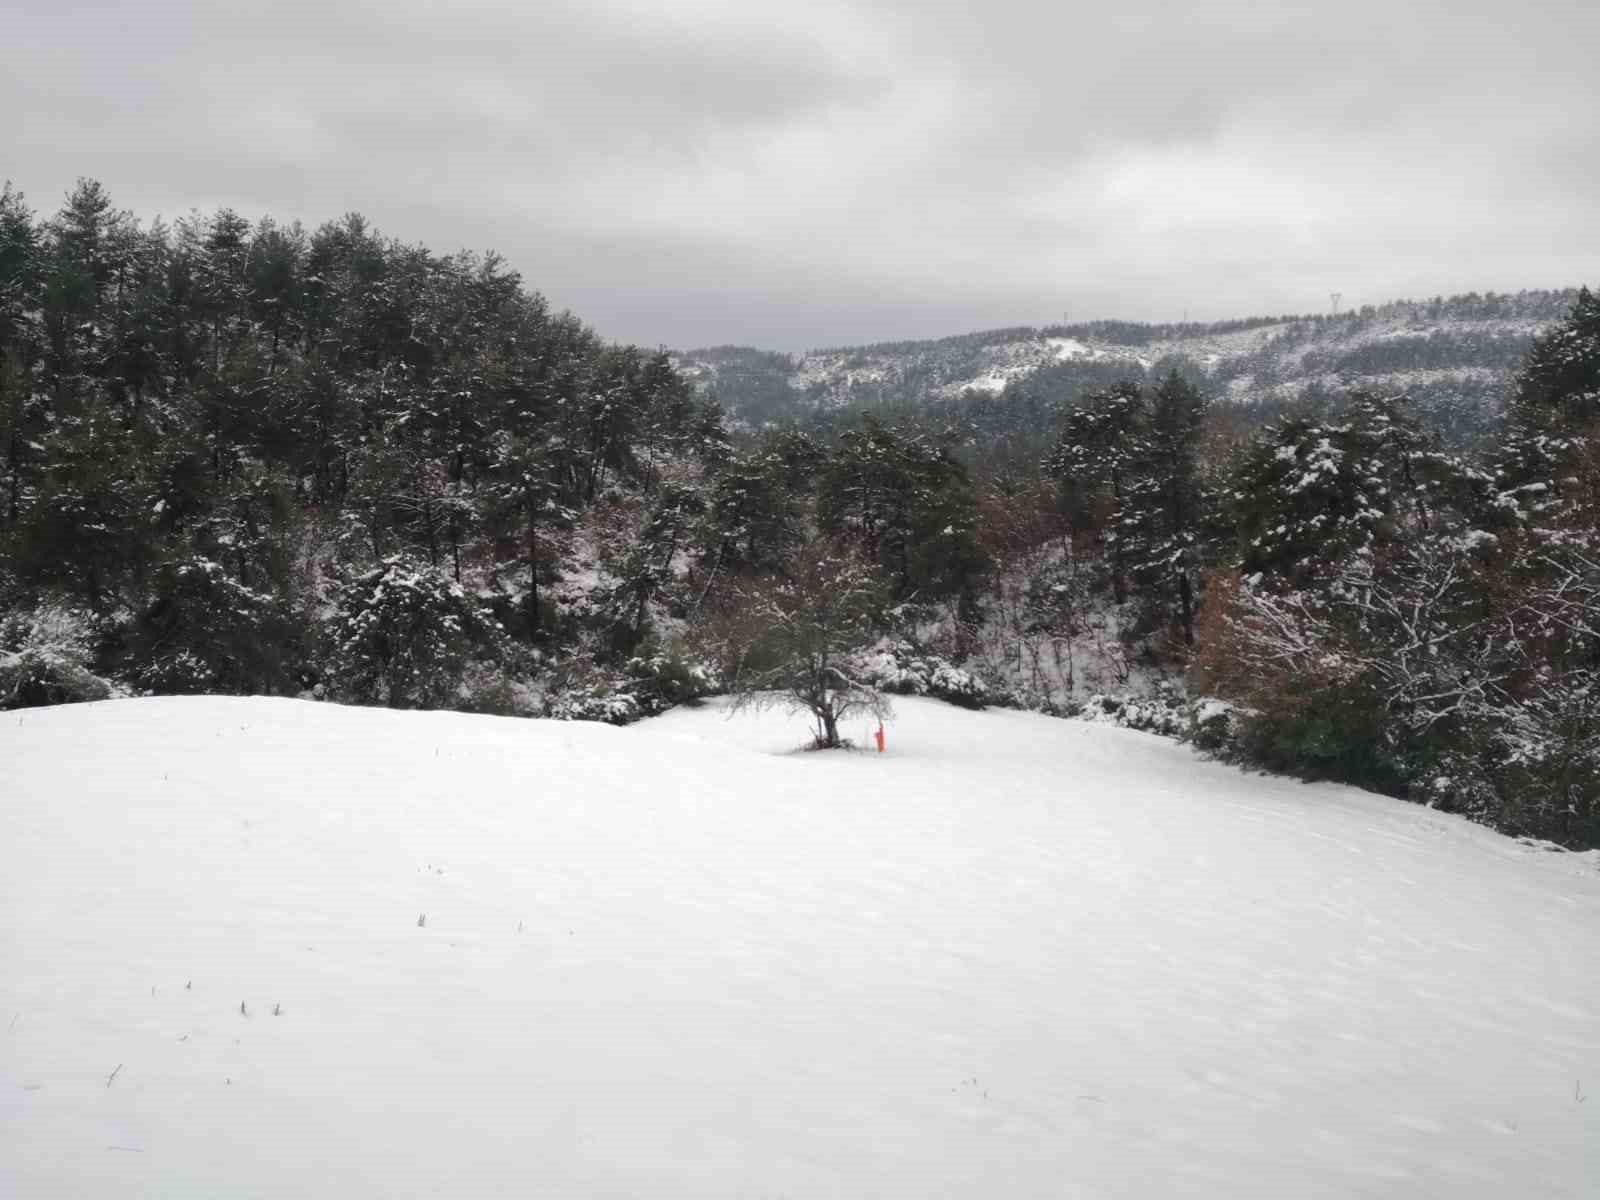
1454 356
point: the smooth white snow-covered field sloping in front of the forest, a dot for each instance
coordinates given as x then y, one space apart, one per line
263 948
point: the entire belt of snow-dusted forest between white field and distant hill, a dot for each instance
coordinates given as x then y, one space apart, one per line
258 458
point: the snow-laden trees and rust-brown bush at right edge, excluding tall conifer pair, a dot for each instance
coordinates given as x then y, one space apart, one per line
1420 626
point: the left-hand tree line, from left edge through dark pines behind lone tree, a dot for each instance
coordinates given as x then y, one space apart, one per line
249 457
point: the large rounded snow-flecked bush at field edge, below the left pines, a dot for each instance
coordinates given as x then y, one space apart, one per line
406 634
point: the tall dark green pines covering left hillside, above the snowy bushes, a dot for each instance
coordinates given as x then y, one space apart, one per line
290 404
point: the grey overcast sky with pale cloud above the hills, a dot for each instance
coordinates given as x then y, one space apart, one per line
804 174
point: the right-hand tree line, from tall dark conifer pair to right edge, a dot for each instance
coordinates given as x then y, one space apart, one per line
1377 609
